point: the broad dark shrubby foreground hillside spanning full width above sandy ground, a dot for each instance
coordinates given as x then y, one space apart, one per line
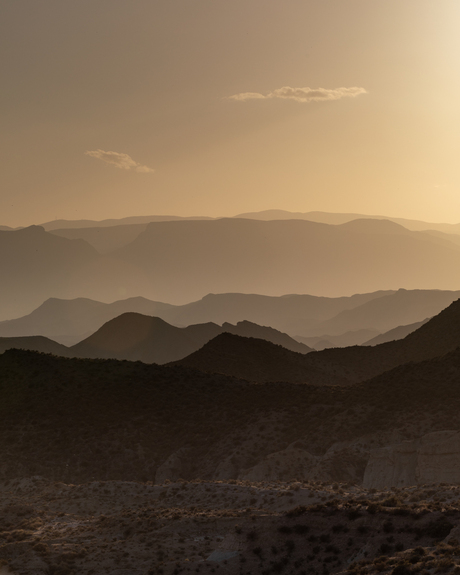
76 420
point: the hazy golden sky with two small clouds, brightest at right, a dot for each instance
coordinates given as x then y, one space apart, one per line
113 108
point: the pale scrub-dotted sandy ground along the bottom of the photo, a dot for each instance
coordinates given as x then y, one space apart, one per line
128 528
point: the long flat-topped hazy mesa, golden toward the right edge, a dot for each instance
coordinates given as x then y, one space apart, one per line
184 259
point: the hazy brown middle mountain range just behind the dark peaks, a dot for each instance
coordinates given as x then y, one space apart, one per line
346 321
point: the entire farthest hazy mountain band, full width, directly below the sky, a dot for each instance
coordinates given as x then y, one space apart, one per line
183 259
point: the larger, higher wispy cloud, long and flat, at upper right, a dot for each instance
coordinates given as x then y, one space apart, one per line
303 94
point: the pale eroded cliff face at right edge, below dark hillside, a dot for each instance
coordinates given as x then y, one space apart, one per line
434 458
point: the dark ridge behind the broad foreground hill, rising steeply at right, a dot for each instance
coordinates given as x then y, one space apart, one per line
435 338
